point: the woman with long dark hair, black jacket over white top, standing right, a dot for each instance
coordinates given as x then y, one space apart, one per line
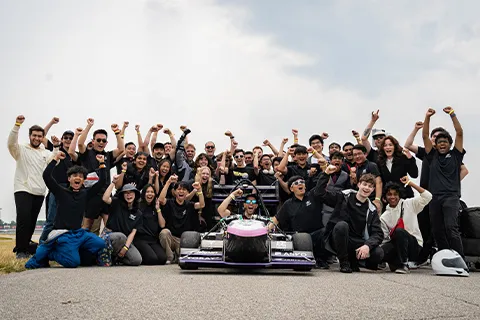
394 162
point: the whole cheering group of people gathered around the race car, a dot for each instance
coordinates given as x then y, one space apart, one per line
355 200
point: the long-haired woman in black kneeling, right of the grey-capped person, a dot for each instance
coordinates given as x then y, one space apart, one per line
147 238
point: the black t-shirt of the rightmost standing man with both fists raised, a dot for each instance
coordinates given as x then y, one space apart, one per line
445 171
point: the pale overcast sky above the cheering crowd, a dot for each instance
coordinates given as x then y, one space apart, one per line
258 68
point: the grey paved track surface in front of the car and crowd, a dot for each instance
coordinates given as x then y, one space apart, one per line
169 293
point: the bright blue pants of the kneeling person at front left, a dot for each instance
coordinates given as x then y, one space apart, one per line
65 249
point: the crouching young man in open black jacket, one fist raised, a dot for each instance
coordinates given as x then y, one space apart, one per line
353 232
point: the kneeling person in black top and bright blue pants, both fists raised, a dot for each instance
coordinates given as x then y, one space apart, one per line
67 242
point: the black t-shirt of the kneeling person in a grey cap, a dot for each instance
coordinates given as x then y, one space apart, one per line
121 219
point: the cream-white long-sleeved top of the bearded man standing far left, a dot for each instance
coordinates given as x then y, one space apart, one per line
31 162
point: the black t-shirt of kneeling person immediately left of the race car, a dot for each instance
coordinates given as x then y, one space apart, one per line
180 218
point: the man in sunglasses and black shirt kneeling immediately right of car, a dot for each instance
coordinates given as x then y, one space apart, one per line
303 213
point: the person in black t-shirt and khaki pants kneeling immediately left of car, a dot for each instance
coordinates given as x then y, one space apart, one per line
179 214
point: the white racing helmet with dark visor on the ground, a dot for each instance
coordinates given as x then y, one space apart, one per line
449 263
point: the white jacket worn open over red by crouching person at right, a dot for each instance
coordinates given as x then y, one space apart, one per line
411 207
